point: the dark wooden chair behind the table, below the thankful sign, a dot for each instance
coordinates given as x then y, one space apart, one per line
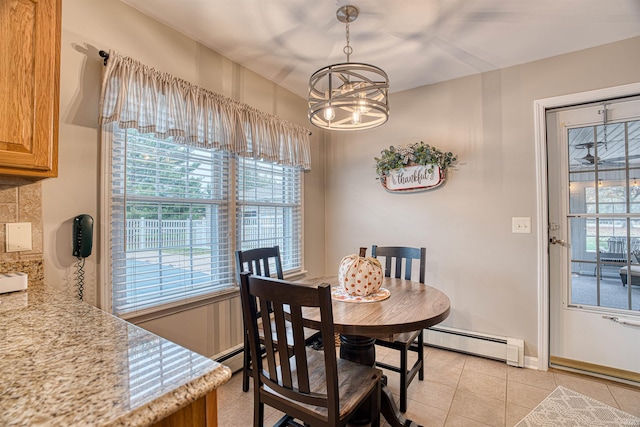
395 258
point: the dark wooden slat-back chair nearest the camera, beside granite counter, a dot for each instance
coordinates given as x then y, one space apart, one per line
310 386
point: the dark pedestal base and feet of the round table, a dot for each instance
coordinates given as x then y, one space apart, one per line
362 350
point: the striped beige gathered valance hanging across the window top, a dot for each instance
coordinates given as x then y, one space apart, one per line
140 97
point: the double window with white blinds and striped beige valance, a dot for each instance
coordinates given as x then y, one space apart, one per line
182 192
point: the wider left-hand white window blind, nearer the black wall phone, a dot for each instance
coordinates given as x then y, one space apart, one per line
170 222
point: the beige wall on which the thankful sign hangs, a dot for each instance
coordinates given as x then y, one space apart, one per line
489 273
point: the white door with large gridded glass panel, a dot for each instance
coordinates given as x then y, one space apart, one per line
594 228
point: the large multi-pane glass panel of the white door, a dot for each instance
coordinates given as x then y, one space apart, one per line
604 221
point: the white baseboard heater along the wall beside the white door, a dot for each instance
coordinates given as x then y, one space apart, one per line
510 350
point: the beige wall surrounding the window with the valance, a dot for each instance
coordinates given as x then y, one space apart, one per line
92 25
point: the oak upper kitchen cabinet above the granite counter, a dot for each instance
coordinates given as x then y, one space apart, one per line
29 87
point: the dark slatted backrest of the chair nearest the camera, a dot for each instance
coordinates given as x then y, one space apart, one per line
292 376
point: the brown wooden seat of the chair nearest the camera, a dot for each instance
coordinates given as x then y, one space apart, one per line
354 382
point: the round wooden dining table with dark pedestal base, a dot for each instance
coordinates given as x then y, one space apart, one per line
411 306
